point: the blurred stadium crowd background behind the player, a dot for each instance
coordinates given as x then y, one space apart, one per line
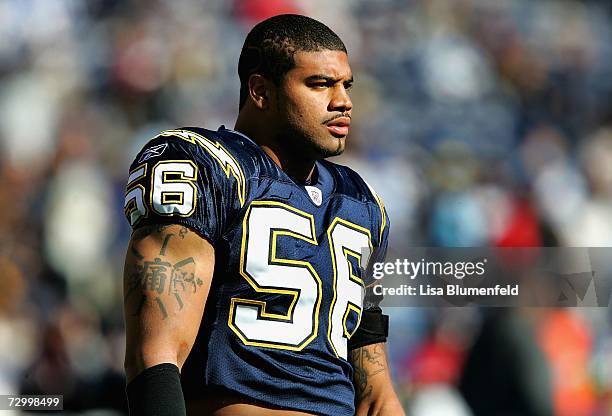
479 122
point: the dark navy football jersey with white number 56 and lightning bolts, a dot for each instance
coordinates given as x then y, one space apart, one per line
288 285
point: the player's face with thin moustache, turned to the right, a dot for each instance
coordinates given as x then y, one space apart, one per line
313 105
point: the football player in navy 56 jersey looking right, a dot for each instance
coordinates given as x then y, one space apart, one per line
245 272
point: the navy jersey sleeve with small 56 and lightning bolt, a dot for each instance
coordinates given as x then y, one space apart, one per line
175 181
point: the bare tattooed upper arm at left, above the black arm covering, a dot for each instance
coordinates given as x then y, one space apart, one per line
167 276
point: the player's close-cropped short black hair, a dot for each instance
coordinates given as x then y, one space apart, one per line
269 47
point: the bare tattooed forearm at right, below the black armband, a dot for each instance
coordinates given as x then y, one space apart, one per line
374 394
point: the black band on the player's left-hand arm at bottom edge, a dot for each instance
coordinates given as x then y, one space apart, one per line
157 391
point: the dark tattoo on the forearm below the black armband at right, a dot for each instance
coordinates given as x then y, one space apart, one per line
367 362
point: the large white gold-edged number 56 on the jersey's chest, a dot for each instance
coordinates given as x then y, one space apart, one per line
253 319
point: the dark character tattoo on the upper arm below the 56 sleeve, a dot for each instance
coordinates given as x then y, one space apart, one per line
152 277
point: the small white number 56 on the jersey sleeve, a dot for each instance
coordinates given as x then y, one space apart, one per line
173 190
